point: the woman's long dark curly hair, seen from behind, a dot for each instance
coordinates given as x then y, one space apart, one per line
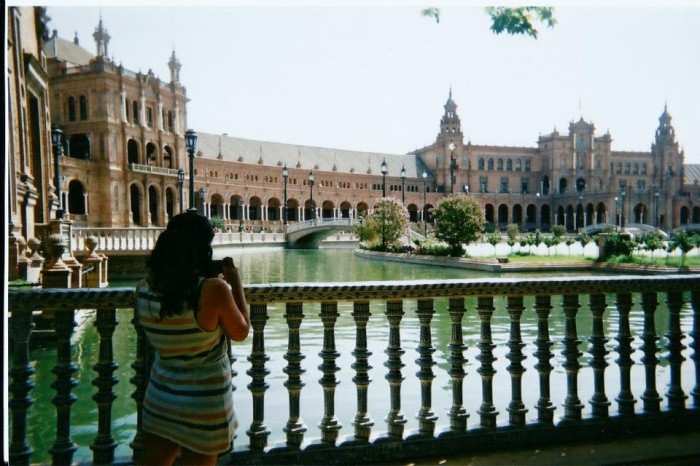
181 256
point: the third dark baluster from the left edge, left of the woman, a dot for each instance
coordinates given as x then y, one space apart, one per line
104 444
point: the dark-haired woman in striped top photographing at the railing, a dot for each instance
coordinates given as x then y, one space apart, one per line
188 406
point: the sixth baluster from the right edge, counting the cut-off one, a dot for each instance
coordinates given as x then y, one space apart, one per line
572 404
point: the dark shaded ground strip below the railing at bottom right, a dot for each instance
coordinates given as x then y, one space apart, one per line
666 450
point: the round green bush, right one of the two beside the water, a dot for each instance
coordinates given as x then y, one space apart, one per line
458 221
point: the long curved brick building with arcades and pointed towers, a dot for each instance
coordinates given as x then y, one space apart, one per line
122 145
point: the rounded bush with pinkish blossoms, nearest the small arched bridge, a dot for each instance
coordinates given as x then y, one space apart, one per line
387 222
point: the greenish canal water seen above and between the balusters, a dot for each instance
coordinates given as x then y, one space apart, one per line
336 265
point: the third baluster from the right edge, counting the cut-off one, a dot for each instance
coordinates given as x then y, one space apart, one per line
650 397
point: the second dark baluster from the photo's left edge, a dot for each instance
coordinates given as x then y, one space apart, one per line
63 448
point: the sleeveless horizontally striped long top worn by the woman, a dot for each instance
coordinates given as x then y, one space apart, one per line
189 398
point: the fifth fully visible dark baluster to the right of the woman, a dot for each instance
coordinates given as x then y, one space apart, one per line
395 419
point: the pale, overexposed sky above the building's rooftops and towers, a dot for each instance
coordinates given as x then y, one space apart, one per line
374 76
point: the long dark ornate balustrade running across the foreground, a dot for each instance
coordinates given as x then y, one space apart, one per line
637 384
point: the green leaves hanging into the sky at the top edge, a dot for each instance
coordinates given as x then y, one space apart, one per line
514 21
